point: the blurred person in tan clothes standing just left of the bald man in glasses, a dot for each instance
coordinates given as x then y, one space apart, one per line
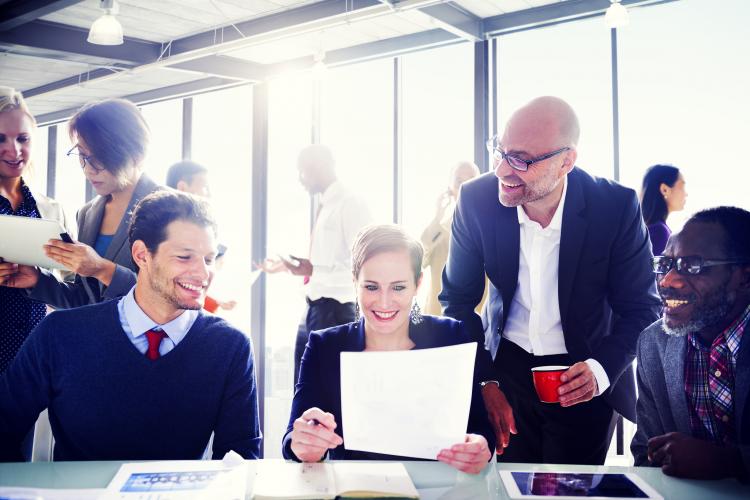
436 235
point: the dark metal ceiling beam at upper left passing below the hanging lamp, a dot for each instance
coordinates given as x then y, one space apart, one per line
62 38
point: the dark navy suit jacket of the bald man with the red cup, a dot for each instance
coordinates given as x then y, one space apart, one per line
606 287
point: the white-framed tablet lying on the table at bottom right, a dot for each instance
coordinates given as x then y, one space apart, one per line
569 485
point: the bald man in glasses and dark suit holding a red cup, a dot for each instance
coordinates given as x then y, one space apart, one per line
568 259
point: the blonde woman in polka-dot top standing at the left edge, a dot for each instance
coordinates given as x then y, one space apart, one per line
18 314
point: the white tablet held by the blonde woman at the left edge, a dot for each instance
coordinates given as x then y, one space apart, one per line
22 239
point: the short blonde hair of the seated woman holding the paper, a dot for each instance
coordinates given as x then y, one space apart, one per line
377 239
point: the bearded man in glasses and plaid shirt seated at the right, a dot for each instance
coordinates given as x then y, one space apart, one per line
693 376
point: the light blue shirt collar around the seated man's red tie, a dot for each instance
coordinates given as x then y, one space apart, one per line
136 323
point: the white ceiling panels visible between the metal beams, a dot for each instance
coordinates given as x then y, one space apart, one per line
161 21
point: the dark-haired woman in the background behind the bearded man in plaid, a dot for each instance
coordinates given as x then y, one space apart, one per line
663 192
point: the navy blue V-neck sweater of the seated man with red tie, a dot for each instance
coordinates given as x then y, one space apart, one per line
107 401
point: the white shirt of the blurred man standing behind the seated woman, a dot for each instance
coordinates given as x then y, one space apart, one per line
342 215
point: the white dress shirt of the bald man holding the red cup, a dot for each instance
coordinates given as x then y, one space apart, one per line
534 321
